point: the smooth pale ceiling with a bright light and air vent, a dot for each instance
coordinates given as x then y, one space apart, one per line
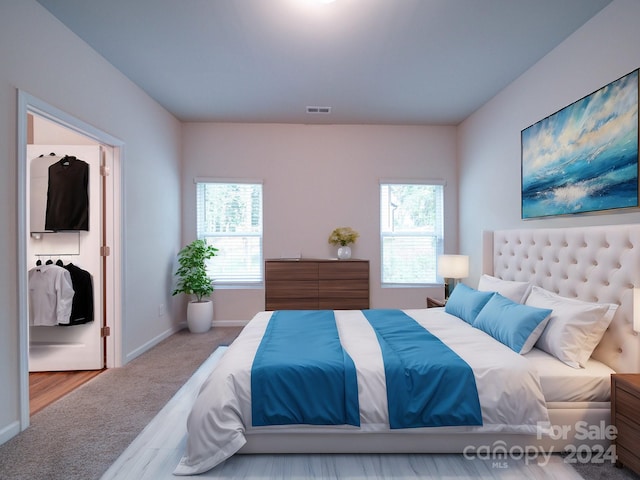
371 61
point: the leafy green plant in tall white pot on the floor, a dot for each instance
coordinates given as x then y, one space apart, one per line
193 280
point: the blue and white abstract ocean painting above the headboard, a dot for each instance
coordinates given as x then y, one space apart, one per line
584 158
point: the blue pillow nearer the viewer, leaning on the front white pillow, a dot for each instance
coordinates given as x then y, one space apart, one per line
517 326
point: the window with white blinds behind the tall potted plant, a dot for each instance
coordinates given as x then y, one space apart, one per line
229 217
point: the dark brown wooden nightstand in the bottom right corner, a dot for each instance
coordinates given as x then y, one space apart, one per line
625 410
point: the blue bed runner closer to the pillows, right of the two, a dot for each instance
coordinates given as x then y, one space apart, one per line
428 384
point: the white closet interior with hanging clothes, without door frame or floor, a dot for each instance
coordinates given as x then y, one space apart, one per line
55 343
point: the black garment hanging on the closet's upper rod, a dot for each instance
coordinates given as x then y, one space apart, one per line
68 195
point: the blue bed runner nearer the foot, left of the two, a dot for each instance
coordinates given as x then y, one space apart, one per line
301 374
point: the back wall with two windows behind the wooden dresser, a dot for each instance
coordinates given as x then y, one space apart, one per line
317 178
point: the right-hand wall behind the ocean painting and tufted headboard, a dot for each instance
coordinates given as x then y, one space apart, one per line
604 49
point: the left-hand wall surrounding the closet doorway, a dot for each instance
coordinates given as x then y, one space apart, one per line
42 57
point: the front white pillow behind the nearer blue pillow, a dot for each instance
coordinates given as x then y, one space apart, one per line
575 327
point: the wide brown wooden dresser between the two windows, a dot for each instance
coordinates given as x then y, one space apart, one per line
316 284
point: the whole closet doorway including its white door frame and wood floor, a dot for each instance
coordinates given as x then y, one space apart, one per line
88 339
